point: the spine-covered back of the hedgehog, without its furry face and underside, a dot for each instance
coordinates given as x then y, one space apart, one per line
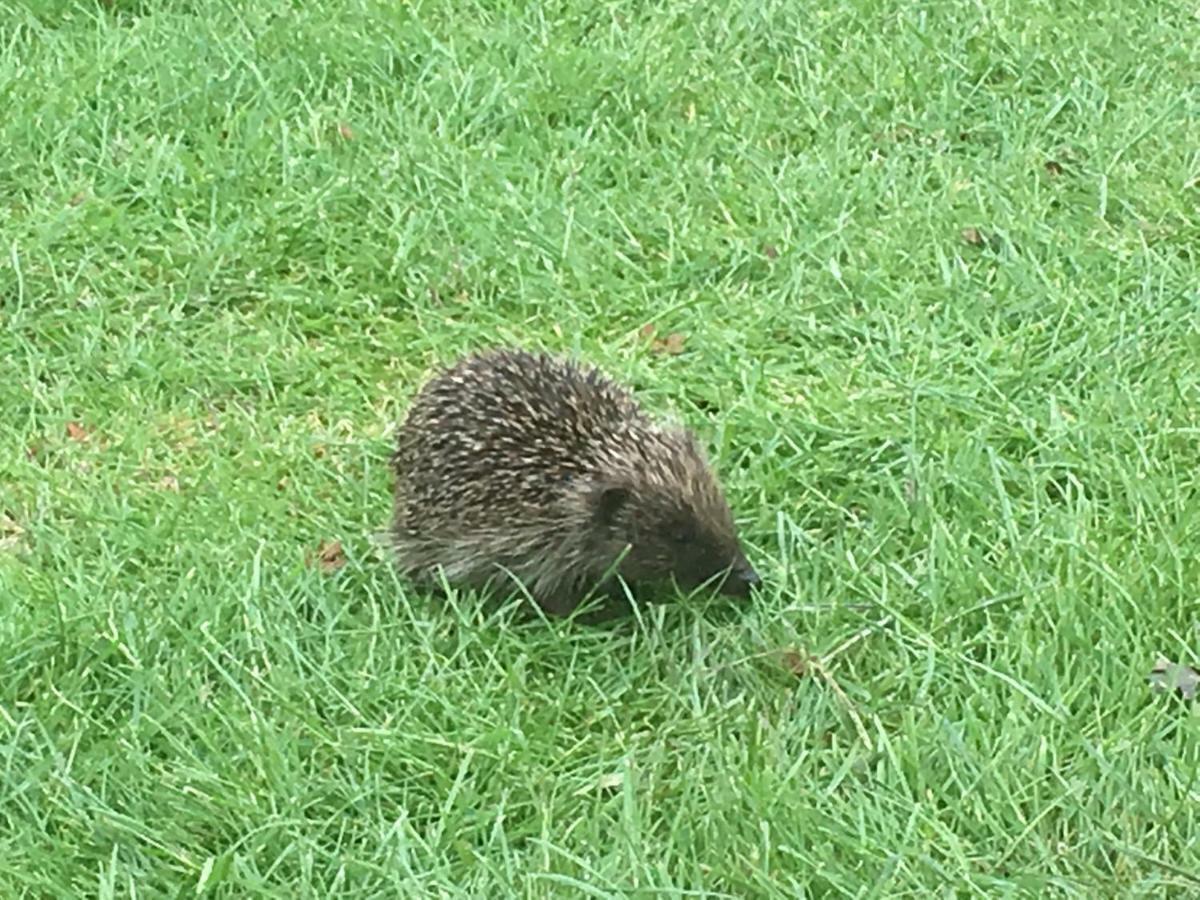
497 439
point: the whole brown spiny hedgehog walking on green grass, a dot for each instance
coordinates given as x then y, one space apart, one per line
515 465
